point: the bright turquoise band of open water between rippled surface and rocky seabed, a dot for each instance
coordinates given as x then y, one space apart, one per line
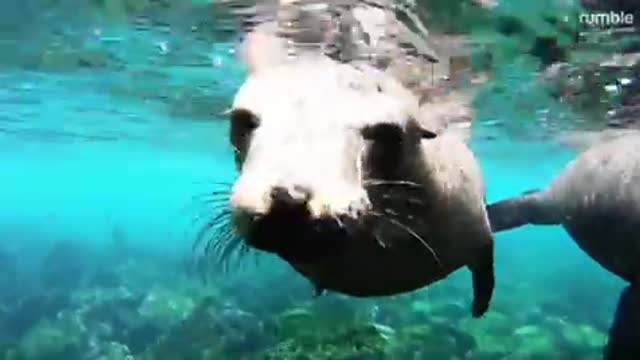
75 165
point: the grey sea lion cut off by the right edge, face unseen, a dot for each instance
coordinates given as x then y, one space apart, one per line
597 200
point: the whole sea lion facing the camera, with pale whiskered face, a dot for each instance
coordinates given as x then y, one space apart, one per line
339 177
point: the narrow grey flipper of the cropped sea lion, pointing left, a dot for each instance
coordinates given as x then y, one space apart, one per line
518 211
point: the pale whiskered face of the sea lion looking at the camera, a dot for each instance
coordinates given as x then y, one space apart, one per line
315 143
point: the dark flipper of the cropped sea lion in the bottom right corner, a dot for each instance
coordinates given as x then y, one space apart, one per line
624 334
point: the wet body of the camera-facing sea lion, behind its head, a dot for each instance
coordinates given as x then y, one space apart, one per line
452 221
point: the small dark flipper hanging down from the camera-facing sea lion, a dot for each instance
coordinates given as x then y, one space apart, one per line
483 278
